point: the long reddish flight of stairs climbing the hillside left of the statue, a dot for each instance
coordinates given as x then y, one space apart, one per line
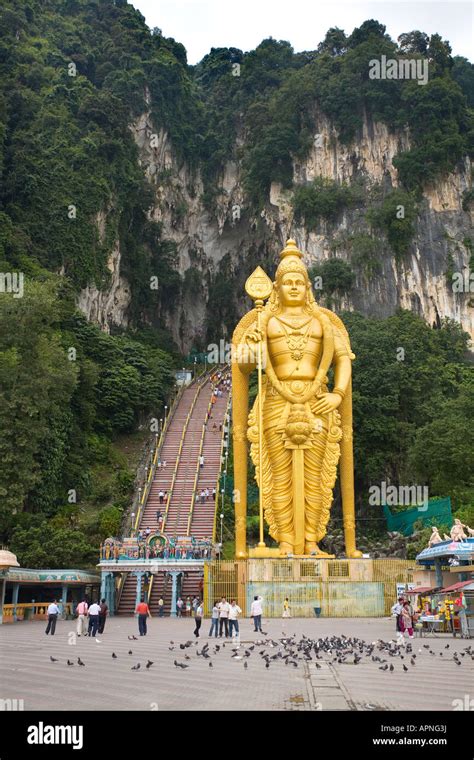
202 523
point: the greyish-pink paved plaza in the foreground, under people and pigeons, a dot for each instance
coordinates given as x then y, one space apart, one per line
105 683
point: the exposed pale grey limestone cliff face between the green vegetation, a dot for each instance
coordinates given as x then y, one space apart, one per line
420 282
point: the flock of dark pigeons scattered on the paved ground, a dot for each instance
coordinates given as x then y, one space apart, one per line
388 656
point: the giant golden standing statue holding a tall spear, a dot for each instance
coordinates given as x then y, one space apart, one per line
299 430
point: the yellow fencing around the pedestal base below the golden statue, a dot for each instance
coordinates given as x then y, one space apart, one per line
336 588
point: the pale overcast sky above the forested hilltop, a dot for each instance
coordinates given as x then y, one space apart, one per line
202 24
